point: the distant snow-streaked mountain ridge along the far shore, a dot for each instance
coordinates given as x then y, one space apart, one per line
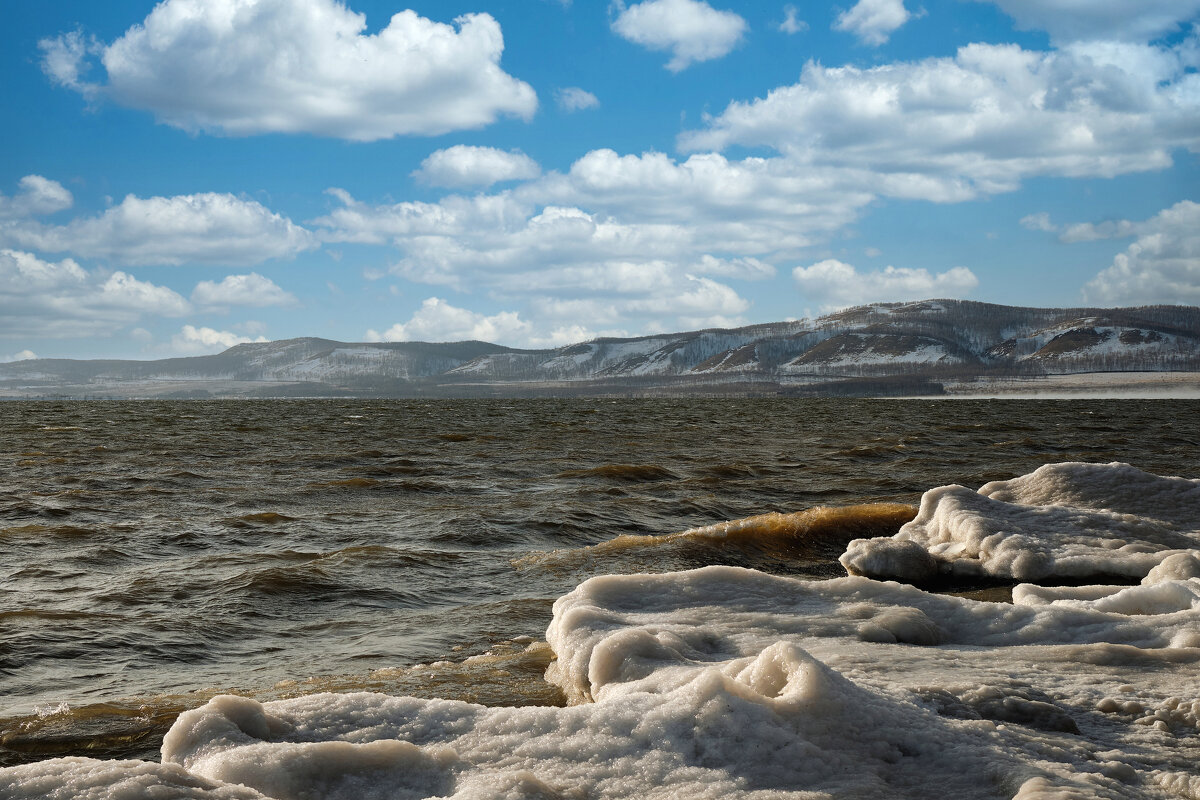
898 348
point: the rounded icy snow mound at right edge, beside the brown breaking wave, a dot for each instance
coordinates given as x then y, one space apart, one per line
1065 521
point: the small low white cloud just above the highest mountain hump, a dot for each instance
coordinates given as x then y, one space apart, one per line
836 285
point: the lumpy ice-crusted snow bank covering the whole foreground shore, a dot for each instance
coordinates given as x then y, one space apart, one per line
729 683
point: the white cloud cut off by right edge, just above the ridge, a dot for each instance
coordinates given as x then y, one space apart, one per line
1161 267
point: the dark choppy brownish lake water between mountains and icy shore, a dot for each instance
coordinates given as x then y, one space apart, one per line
153 554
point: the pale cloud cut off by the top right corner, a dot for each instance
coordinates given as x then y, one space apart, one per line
1137 21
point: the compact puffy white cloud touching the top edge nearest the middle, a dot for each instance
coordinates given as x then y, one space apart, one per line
691 29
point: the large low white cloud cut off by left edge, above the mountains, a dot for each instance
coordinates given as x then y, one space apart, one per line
62 299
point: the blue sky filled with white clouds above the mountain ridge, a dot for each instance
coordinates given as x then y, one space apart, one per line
187 176
